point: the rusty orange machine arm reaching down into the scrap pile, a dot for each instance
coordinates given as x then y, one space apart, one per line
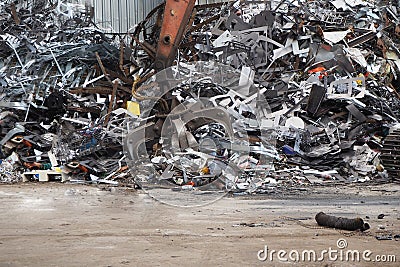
176 16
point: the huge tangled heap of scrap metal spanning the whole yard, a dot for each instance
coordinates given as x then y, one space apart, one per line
263 94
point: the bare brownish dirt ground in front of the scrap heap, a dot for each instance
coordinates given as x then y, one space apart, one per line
55 224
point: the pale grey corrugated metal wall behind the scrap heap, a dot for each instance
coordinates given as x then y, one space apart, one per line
120 15
